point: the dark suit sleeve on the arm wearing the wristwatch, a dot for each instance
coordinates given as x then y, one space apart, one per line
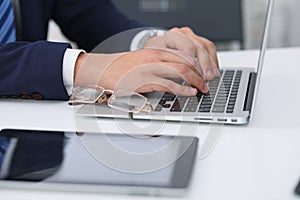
90 22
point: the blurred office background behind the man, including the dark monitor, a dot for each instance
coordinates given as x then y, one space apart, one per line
231 24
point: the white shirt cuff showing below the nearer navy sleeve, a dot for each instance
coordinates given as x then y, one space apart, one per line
69 61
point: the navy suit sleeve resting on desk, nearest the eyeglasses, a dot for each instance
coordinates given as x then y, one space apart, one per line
30 68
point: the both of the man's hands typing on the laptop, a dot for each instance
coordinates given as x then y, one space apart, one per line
179 54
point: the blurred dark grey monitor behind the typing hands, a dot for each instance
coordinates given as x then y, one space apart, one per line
218 20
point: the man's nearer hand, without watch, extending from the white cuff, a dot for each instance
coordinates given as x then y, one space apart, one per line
142 71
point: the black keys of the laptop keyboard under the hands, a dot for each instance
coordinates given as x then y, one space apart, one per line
221 97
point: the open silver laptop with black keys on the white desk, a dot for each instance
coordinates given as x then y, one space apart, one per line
230 100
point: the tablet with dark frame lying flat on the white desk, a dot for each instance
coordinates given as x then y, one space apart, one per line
94 162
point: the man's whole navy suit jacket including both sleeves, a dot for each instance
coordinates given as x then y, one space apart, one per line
35 67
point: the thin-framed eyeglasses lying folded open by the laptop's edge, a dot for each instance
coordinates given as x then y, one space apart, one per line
123 100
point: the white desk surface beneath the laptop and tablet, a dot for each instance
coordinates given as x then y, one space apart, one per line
256 161
